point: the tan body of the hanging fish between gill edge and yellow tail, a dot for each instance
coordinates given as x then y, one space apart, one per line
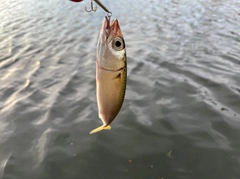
110 93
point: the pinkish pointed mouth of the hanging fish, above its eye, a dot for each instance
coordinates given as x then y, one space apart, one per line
109 29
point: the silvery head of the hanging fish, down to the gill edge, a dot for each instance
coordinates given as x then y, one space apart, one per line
111 52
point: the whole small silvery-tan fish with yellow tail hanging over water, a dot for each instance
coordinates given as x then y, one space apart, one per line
111 72
